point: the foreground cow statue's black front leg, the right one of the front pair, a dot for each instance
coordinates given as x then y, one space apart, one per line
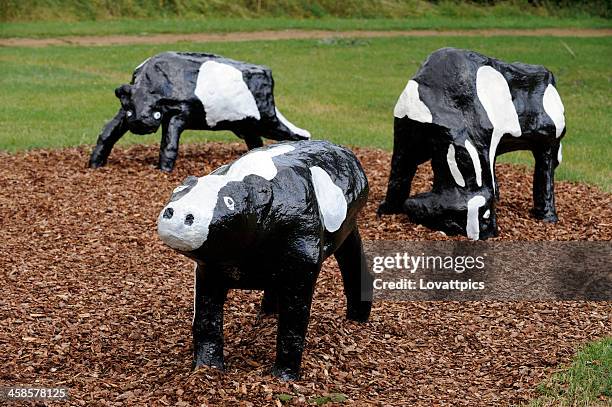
293 316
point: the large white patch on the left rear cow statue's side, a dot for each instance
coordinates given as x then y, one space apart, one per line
224 94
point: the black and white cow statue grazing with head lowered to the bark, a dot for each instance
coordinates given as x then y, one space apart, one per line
461 110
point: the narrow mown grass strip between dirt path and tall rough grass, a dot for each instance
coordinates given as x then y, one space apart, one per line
177 25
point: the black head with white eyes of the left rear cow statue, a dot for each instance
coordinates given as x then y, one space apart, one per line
142 108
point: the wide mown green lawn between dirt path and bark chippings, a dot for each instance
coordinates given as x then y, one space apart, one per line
341 90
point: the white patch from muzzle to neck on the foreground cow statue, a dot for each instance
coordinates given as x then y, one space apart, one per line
201 200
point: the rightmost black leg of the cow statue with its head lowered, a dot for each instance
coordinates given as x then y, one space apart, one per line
543 183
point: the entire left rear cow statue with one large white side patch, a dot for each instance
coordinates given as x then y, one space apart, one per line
180 91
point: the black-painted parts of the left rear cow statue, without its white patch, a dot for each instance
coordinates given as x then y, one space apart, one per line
165 83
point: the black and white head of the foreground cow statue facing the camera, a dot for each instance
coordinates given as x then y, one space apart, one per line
213 216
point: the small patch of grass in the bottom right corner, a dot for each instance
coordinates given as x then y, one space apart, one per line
586 382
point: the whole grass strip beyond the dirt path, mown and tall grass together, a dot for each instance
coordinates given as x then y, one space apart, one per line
40 18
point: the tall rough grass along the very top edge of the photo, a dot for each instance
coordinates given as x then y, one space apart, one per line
77 10
